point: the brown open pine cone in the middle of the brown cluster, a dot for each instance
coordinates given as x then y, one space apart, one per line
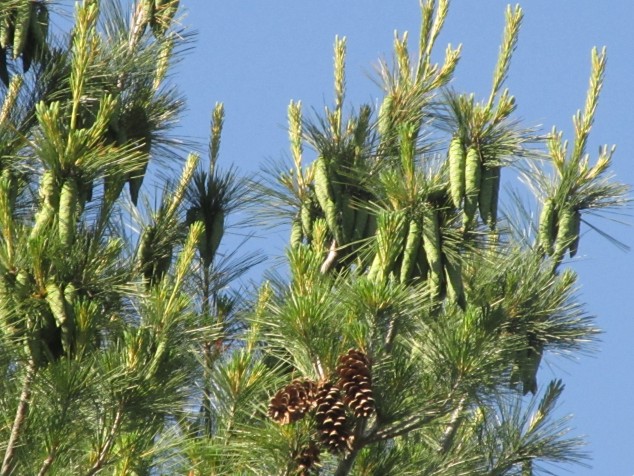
332 422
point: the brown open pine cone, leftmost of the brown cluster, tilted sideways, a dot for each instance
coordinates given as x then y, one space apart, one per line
293 401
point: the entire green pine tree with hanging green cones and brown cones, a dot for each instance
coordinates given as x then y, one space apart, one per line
407 331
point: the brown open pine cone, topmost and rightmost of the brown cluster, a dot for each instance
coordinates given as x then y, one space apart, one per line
356 381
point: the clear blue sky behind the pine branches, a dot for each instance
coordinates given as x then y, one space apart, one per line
256 56
